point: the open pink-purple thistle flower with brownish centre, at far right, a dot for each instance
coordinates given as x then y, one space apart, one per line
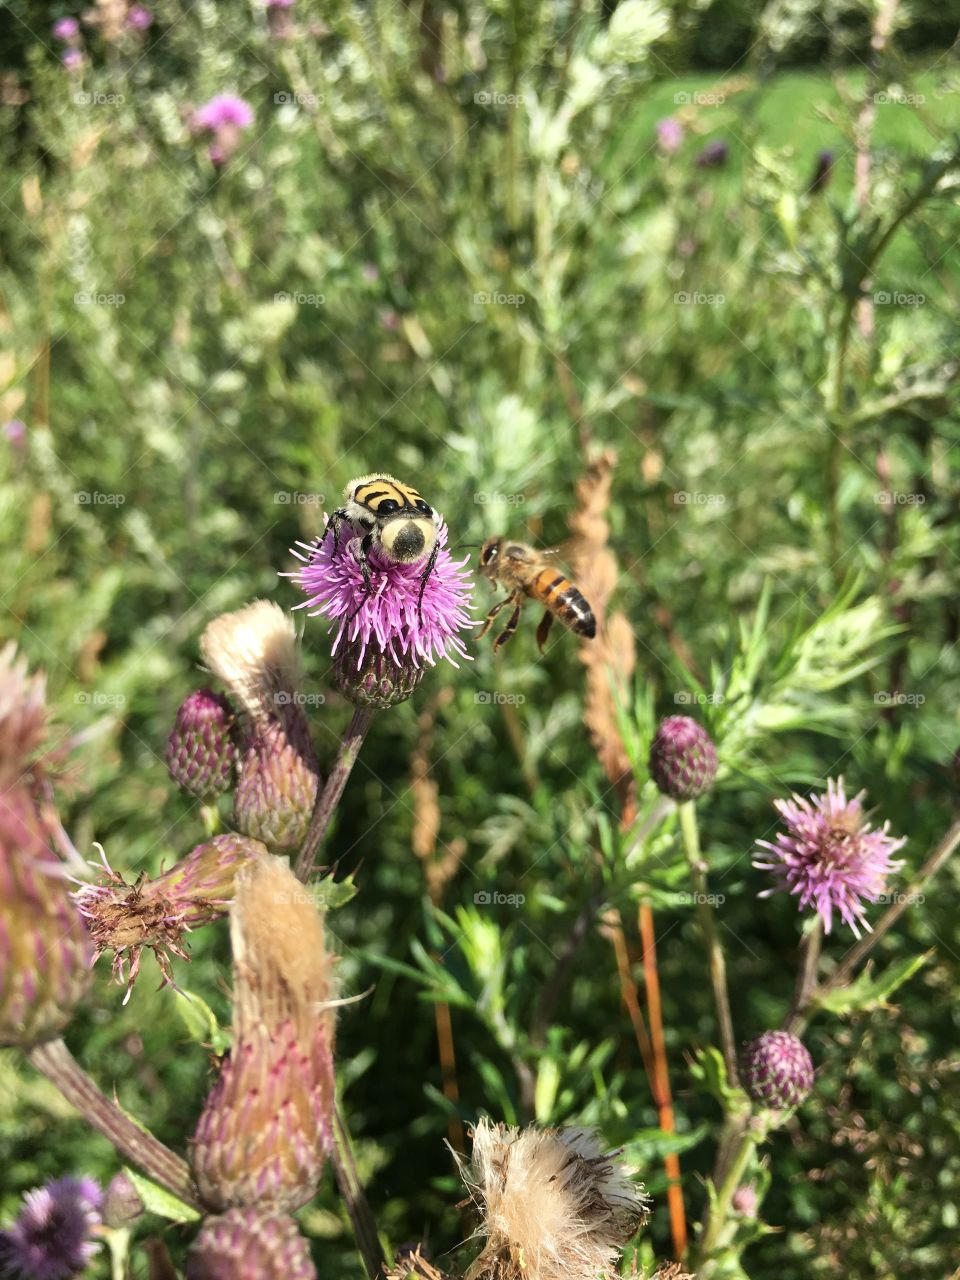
830 857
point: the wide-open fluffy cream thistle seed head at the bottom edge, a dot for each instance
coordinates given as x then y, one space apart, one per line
555 1206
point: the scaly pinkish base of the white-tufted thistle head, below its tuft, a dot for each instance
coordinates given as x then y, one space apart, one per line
278 784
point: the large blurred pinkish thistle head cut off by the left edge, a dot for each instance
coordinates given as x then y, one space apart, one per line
45 953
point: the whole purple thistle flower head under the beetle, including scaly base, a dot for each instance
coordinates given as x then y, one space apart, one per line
391 623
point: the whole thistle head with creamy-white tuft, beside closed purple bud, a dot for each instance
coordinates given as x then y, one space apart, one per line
254 652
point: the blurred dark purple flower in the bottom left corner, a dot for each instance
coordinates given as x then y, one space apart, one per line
51 1240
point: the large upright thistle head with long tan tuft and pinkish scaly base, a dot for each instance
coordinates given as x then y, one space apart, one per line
267 1127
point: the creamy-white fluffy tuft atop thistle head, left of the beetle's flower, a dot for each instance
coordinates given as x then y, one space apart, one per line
254 651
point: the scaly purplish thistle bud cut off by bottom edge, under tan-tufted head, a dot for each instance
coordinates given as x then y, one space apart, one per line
249 1242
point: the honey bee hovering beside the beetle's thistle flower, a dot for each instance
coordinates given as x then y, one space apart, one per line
527 574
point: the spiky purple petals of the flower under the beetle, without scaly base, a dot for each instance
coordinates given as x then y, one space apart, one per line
388 619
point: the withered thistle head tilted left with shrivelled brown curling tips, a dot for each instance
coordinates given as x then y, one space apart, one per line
156 915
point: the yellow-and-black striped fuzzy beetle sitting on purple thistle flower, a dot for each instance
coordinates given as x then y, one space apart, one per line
395 519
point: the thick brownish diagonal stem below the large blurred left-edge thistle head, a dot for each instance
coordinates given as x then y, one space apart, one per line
158 1162
